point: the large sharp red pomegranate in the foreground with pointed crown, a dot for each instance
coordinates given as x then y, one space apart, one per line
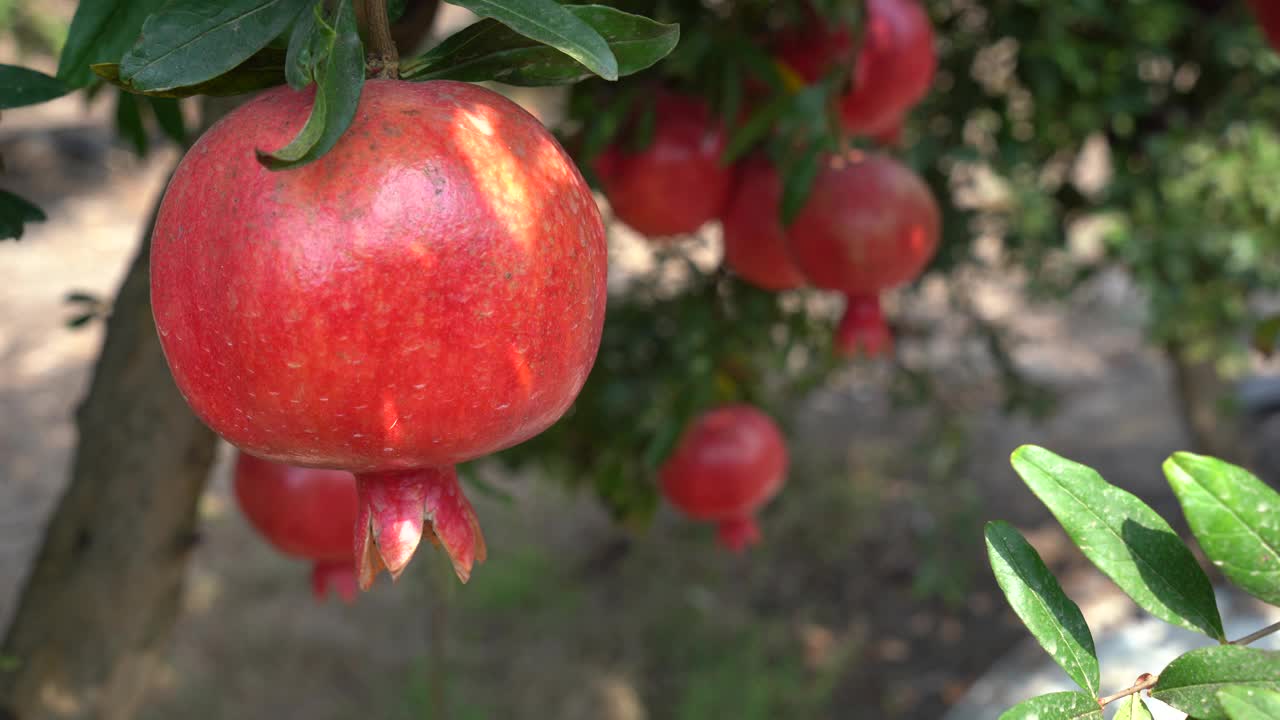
429 291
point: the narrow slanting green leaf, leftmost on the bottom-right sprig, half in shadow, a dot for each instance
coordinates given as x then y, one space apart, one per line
1043 607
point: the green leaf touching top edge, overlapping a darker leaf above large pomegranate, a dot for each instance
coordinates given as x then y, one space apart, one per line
551 24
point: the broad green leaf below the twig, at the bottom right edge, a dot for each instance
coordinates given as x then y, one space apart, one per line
1191 683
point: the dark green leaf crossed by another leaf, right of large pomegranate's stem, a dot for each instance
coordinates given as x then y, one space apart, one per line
491 51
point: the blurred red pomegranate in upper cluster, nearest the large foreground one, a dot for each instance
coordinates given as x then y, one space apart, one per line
678 183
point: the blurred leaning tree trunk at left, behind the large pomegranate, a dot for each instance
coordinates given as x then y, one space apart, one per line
104 591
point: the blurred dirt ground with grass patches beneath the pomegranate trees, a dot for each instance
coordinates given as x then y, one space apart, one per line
870 599
